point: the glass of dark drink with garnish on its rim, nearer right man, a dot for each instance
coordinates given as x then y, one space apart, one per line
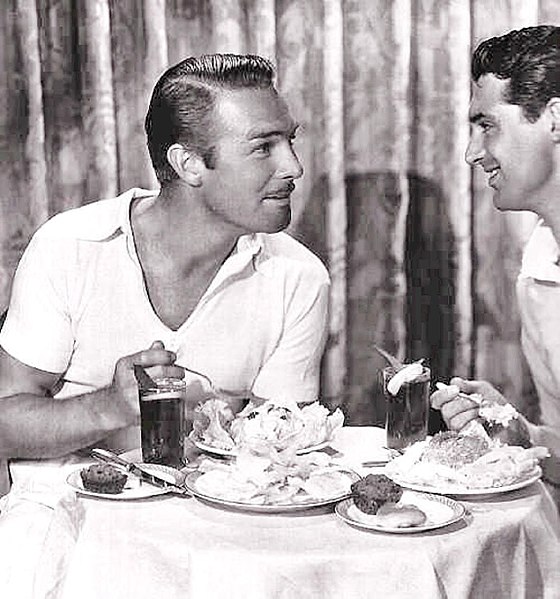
407 409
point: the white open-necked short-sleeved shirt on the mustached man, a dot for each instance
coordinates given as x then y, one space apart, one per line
79 304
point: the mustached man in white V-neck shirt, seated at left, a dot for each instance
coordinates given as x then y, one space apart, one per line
197 275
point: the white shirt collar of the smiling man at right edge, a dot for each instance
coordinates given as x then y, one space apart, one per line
541 256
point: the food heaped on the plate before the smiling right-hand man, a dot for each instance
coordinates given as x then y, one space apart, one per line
465 461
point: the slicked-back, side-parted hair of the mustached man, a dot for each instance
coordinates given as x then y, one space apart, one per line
182 103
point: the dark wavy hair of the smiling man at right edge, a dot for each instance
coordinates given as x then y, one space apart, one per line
529 59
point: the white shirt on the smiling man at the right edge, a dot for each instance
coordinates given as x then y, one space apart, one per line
538 291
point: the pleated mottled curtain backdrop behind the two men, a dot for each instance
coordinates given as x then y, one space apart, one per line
421 262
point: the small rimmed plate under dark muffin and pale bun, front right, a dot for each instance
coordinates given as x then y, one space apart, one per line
440 511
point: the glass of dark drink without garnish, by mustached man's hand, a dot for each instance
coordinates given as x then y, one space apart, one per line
163 427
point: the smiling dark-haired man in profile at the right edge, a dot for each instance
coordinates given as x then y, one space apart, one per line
515 138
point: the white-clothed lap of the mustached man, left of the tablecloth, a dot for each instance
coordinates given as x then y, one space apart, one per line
39 526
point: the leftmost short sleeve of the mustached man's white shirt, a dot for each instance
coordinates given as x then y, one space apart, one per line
37 330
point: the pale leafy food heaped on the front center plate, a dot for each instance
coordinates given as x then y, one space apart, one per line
277 478
